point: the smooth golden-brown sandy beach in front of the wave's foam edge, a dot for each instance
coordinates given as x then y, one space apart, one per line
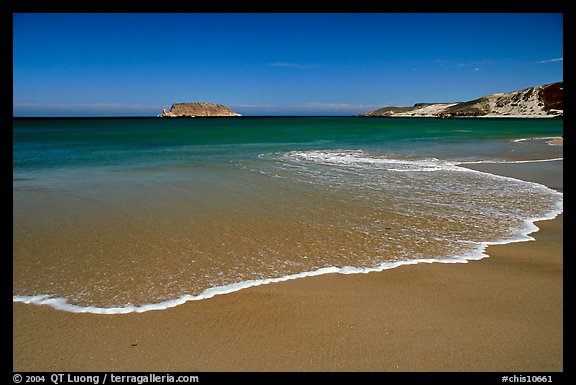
502 313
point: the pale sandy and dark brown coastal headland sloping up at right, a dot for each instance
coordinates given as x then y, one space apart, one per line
540 101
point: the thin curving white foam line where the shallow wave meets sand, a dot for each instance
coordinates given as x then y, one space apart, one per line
530 227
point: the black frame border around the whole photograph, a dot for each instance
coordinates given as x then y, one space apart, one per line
8 7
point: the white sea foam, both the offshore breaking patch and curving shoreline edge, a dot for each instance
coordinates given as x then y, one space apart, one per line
354 158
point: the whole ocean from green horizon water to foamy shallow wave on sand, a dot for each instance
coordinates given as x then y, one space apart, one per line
121 215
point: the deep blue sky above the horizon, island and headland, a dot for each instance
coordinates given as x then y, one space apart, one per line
275 64
